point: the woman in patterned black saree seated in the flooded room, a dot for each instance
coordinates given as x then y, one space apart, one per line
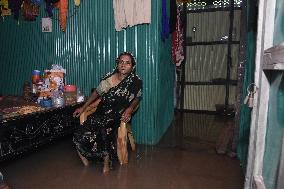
120 93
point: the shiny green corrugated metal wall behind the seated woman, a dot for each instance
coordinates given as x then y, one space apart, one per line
87 50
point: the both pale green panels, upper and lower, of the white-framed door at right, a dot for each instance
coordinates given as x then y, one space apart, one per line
275 119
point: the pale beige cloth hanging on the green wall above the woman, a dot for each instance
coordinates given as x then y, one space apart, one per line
131 12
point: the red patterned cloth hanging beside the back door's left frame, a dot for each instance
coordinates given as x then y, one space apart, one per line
178 41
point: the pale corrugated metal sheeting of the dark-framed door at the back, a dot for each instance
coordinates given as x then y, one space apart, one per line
206 63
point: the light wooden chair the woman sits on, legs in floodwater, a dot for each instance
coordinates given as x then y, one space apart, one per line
121 147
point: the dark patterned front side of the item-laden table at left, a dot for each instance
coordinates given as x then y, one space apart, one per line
22 134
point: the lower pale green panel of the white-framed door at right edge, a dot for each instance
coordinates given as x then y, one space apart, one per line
275 130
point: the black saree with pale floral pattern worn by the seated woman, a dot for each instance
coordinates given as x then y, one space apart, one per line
97 137
